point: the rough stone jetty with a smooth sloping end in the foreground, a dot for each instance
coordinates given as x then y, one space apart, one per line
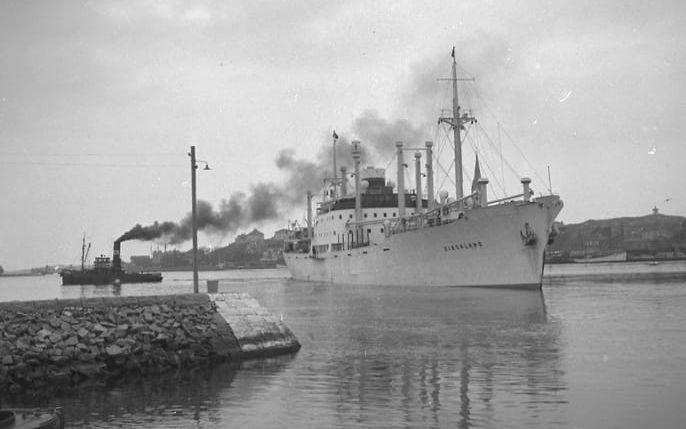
68 341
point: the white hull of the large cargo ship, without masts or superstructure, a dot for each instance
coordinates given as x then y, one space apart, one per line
485 248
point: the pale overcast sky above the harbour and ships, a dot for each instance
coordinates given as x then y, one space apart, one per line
100 101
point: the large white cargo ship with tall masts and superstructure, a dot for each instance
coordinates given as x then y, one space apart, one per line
378 236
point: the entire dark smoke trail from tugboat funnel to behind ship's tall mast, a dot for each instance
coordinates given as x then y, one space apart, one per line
267 201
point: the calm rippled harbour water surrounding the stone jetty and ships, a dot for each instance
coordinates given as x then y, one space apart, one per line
601 346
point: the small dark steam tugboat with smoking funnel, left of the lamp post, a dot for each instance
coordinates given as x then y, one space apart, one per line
105 272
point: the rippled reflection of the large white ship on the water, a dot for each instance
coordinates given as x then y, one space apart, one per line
470 357
